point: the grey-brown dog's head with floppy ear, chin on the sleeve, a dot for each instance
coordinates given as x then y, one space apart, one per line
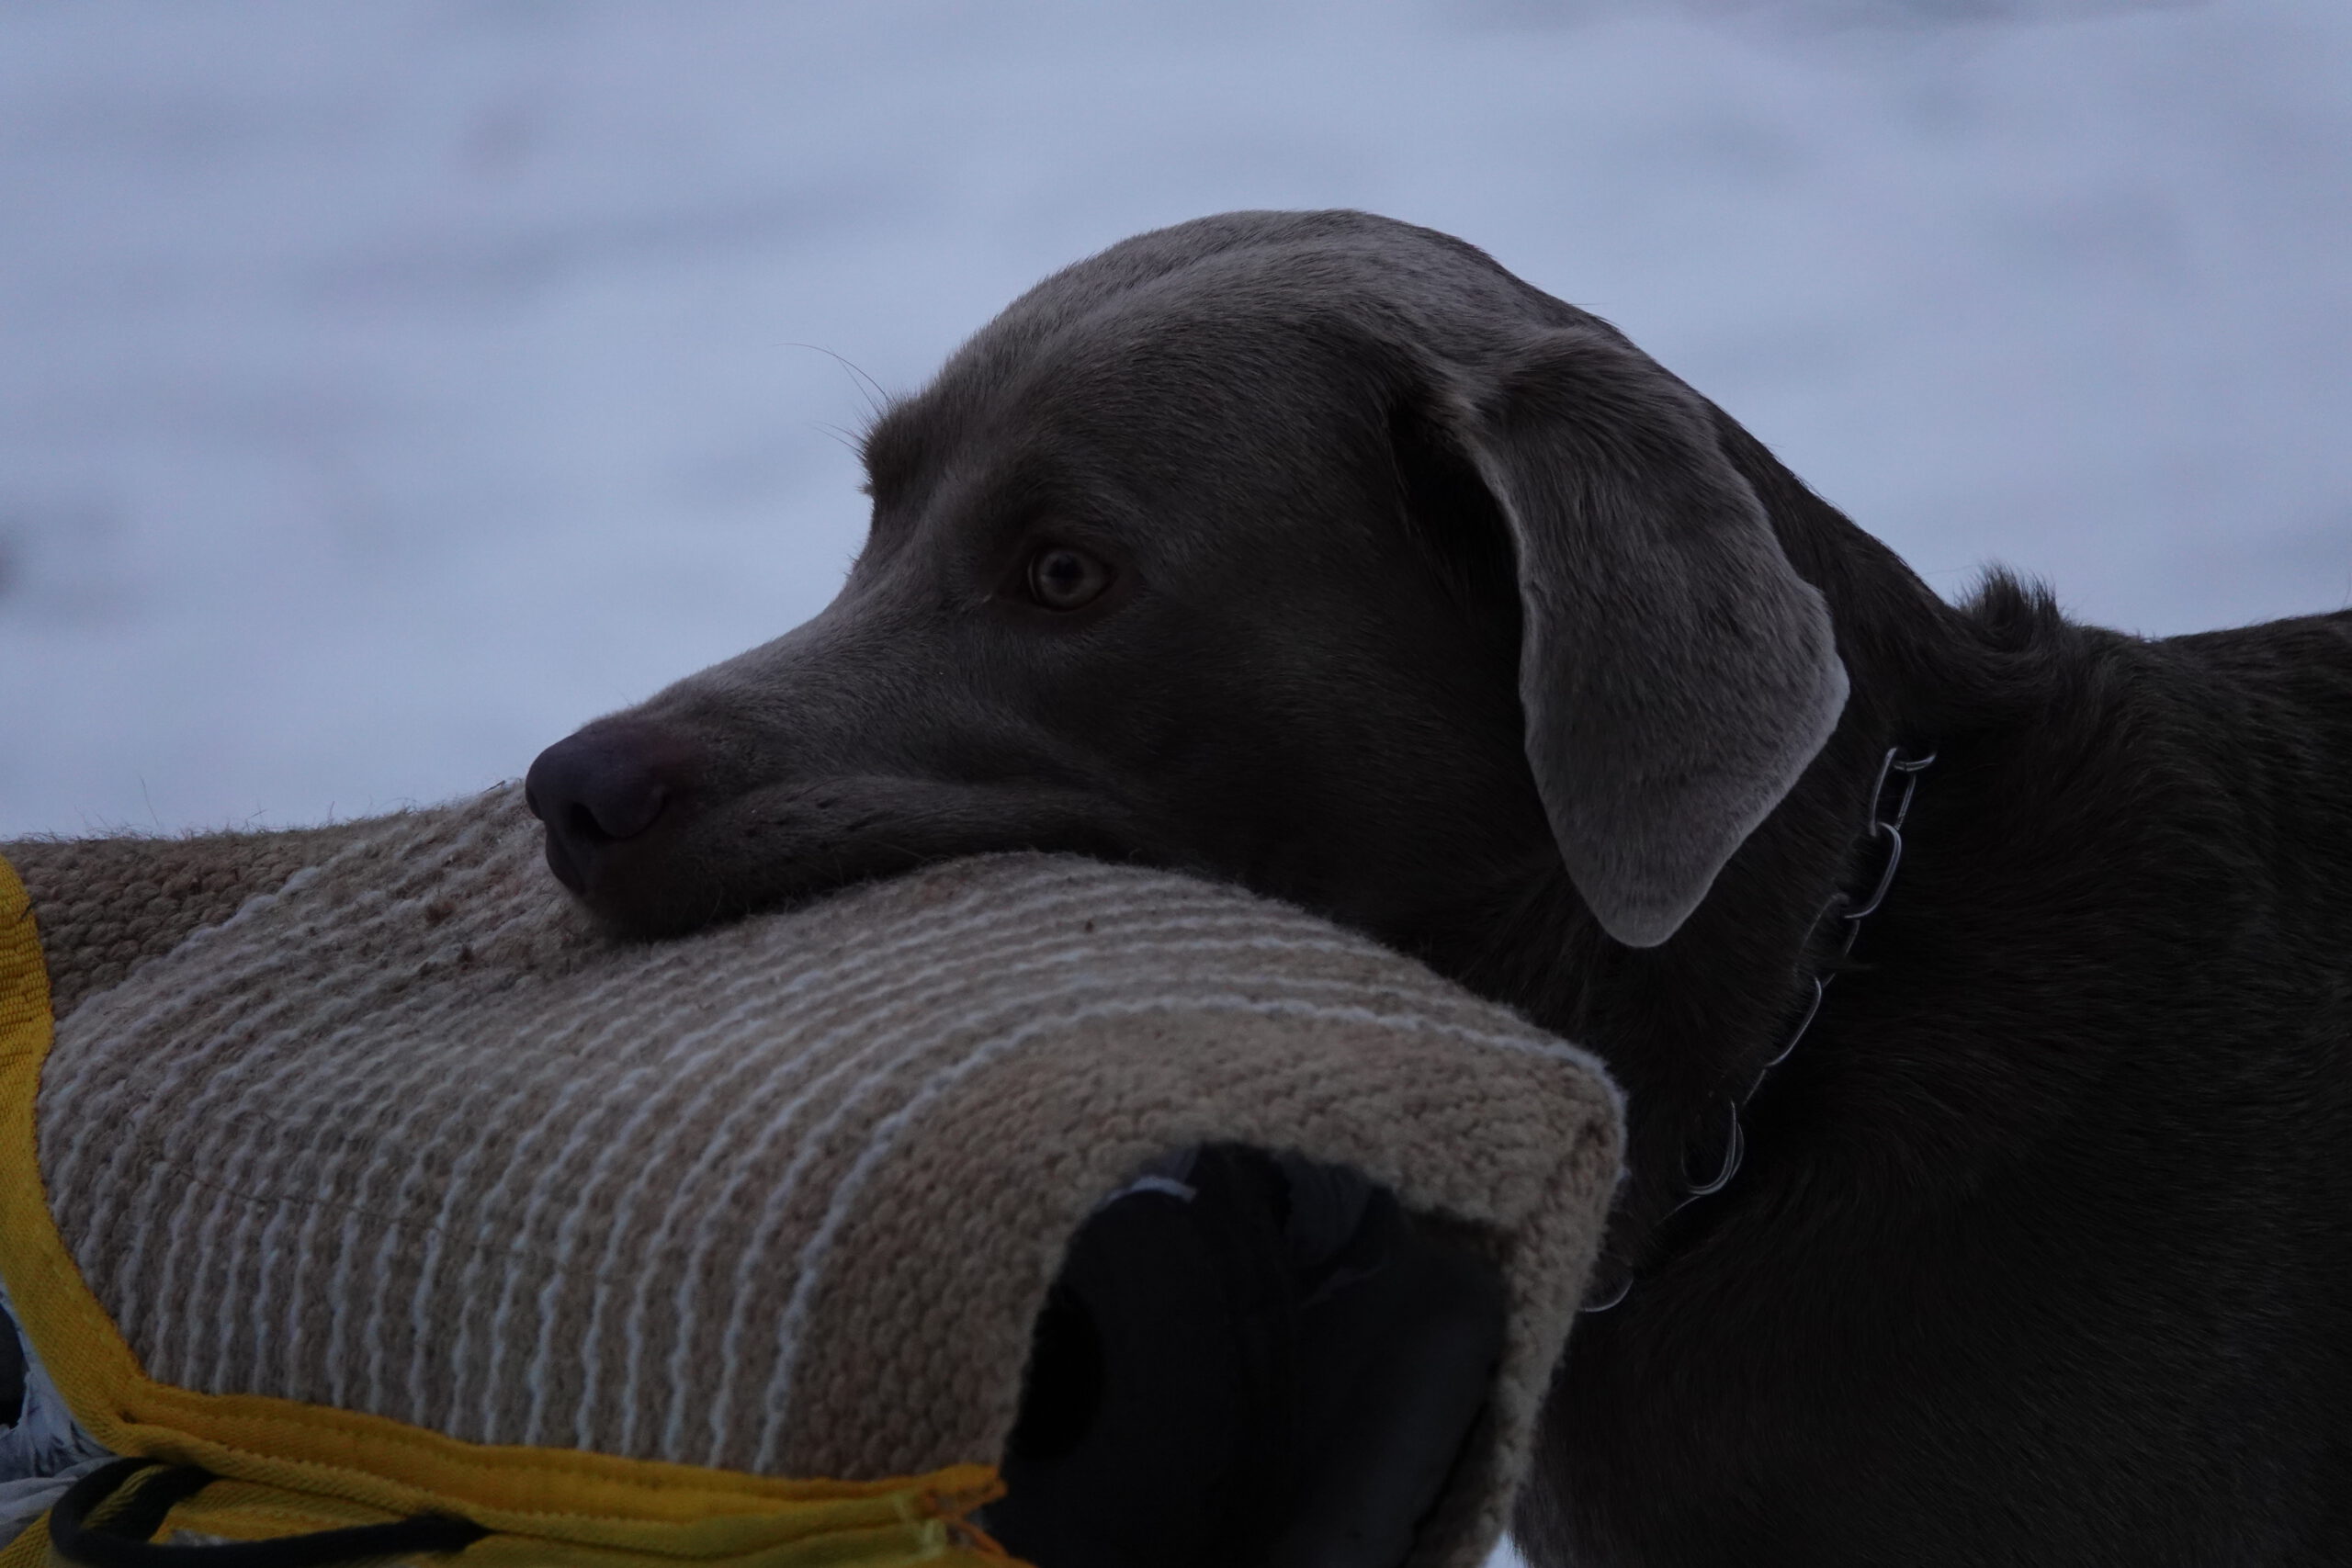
1302 549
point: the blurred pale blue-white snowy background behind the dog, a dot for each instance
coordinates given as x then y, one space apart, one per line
392 387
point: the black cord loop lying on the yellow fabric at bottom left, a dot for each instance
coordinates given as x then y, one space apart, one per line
123 1539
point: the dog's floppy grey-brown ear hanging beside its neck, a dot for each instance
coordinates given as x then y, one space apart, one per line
1676 671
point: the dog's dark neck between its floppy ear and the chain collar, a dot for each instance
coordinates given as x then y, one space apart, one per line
1692 1026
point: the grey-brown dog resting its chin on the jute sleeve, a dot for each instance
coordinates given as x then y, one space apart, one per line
1318 554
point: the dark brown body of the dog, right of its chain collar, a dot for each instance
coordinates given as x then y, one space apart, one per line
2040 1247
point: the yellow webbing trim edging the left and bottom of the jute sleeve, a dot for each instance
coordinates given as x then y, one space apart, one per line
295 1468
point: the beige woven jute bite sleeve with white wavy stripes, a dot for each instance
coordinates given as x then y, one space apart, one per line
406 1137
